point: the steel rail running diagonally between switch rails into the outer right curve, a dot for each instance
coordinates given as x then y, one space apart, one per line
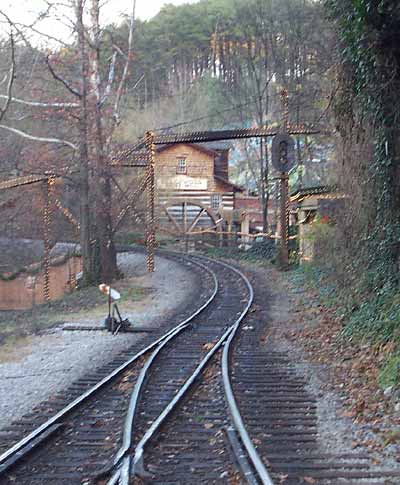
127 469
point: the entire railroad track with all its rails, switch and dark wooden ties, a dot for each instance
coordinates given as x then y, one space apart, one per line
169 413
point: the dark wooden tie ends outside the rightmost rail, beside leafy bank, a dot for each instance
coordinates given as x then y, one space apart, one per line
280 412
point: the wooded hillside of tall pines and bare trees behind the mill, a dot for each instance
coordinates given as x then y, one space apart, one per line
212 64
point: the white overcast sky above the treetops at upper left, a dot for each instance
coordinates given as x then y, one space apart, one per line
24 11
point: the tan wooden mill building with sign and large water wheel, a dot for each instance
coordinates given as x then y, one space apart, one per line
193 191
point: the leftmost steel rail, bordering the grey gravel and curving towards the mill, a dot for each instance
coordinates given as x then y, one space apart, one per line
10 456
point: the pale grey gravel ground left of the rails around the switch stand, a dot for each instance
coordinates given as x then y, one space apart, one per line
56 359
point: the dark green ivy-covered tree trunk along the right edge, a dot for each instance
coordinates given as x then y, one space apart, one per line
369 33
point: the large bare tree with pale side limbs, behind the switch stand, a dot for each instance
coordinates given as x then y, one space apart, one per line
92 93
